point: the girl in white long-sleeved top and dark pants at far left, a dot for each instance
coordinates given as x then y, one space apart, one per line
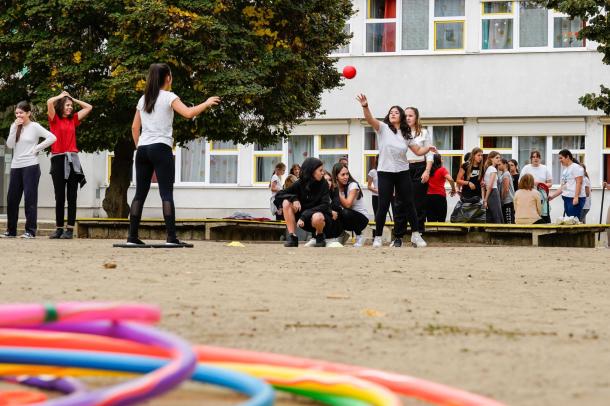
25 170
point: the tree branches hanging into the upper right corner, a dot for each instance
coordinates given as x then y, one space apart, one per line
597 29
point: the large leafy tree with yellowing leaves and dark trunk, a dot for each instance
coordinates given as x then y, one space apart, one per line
267 59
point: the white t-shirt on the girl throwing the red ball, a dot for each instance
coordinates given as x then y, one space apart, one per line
392 150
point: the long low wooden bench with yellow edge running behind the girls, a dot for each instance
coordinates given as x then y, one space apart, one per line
543 235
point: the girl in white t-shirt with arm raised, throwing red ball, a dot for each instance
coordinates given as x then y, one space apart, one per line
394 139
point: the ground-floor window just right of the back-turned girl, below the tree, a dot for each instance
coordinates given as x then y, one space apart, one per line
209 162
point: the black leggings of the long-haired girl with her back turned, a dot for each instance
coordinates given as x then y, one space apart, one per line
158 159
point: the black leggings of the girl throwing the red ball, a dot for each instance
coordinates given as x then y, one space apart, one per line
401 182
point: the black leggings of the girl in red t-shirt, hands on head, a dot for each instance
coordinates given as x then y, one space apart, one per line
60 185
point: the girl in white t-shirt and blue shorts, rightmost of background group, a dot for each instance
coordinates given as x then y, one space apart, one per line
572 188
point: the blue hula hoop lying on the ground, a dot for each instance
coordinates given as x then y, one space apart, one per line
259 392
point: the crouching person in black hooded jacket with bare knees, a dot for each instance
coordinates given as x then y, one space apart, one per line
306 203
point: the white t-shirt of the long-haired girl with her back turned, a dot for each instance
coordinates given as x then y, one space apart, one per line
157 125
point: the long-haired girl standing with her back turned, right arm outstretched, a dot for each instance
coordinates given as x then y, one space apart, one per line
153 135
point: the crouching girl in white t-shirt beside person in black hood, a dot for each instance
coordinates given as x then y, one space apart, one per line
354 216
